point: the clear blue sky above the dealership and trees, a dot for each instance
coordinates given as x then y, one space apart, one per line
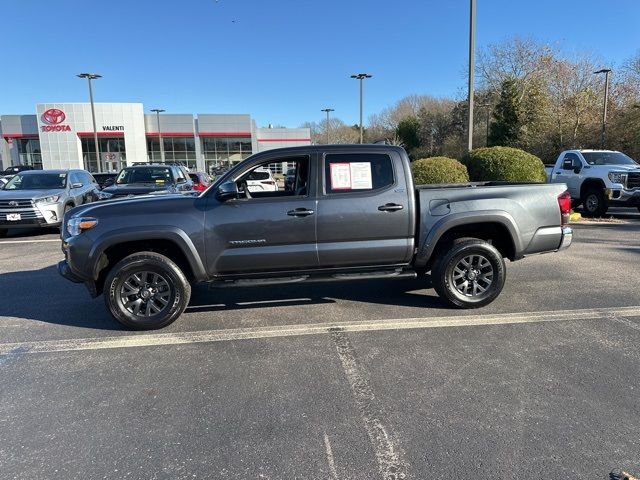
279 60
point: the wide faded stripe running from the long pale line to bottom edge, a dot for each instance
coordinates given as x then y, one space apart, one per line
388 453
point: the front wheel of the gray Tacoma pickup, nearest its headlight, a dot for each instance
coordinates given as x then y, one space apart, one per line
144 282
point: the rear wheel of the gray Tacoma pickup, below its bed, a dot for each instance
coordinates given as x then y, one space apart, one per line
480 289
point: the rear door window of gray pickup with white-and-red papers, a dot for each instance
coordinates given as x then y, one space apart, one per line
357 172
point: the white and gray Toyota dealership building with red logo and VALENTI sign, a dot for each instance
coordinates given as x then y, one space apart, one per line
61 135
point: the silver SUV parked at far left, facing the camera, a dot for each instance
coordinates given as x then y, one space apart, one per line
39 198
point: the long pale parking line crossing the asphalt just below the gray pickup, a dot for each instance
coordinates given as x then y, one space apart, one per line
182 338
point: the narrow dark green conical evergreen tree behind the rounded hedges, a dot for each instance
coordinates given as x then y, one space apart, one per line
505 128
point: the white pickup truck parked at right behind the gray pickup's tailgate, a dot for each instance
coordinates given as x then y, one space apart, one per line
598 179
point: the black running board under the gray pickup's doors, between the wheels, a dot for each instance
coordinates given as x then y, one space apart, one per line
313 278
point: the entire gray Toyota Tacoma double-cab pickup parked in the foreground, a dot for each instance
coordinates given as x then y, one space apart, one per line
352 213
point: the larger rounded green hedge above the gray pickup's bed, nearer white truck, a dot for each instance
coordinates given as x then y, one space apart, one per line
504 164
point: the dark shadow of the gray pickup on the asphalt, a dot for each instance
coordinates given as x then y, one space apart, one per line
62 303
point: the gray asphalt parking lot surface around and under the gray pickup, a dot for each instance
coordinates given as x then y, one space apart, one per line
340 381
